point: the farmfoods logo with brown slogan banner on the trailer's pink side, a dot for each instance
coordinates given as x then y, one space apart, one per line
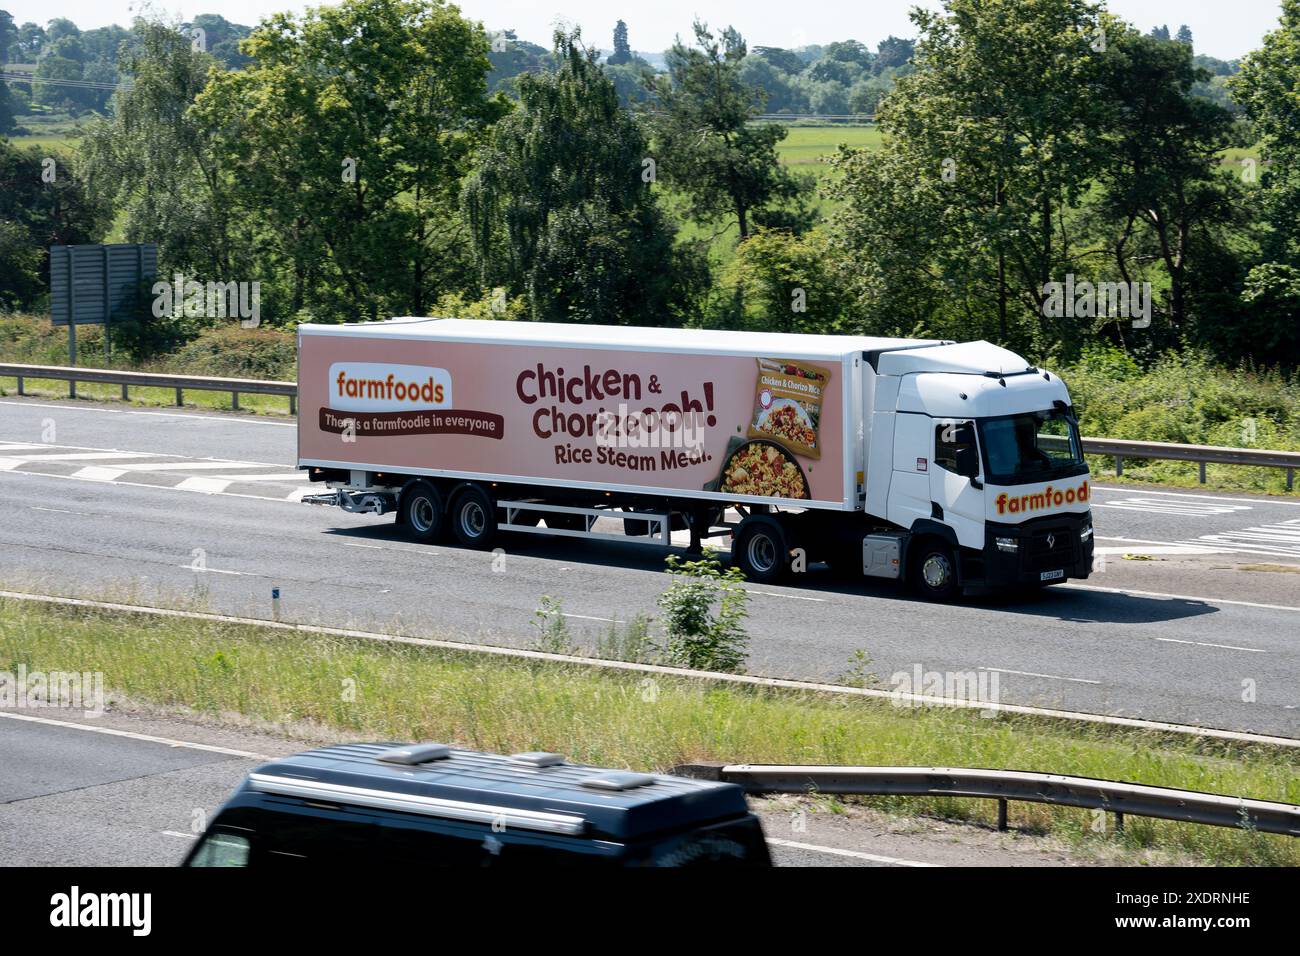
371 399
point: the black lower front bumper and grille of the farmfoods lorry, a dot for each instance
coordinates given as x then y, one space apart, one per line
1046 550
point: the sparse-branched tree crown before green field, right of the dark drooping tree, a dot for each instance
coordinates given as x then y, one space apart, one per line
707 145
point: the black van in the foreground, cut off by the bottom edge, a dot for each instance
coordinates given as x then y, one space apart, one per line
432 806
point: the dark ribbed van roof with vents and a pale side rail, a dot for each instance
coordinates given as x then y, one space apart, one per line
527 791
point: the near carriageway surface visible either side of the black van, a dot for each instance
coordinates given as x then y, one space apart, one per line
122 791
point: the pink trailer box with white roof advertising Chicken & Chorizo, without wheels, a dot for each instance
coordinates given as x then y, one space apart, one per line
730 417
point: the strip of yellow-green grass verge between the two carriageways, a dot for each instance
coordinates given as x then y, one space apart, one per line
395 693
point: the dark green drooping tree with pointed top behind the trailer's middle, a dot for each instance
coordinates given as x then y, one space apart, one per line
560 206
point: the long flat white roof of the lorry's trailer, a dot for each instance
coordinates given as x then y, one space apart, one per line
626 338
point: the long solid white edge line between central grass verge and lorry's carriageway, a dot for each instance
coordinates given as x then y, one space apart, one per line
747 680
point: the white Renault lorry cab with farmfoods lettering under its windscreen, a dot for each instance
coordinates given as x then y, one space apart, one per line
977 456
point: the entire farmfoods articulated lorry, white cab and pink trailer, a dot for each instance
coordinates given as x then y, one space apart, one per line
950 466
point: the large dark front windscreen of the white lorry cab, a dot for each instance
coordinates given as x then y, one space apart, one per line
1032 447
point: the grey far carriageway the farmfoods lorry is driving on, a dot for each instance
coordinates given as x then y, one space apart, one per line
112 501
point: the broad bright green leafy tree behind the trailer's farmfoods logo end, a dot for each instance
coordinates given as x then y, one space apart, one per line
352 154
